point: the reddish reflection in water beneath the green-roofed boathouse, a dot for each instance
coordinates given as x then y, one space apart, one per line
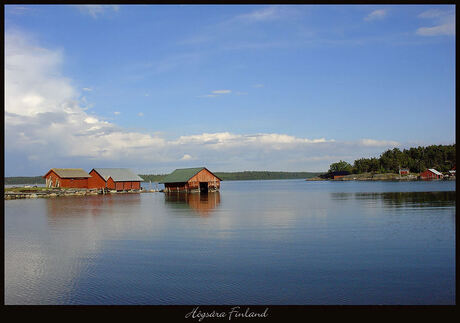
202 204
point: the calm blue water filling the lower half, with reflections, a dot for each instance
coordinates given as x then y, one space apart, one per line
255 242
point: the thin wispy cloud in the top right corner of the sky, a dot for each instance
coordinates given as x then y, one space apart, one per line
444 23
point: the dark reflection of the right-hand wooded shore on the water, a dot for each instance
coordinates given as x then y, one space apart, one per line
403 199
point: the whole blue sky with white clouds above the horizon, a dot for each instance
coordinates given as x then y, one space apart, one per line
230 87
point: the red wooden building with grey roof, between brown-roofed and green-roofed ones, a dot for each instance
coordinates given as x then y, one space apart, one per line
120 179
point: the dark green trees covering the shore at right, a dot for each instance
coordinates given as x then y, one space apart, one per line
417 160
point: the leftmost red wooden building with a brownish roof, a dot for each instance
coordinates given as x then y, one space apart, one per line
67 178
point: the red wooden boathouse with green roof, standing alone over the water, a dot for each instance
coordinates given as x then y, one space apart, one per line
198 179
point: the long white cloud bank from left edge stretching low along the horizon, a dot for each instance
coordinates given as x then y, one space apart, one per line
46 126
